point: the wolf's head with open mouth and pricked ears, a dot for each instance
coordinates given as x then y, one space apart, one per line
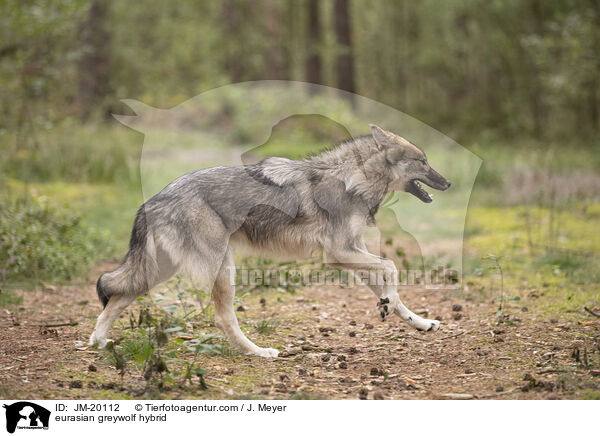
408 165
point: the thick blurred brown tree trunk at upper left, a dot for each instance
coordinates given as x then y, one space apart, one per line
94 66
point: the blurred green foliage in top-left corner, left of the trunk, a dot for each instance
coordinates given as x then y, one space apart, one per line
39 51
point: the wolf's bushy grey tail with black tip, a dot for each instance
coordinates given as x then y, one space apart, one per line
131 277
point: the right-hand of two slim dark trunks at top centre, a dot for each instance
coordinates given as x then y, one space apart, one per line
345 61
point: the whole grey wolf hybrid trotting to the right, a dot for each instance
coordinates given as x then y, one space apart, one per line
278 205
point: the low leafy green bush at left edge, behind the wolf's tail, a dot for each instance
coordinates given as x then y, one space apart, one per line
42 242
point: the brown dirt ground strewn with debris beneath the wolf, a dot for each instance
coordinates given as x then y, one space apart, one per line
332 347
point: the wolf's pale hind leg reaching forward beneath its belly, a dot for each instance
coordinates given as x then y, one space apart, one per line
225 319
